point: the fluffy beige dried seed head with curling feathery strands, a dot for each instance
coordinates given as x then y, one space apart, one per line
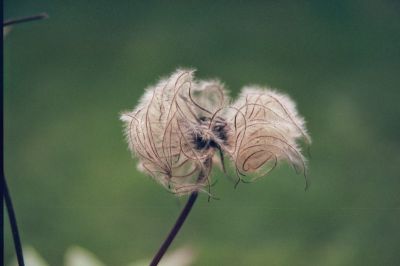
180 124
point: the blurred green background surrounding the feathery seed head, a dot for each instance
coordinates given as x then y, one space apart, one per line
73 180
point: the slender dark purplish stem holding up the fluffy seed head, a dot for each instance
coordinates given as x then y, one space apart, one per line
174 231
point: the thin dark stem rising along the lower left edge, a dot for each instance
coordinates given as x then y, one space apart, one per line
13 224
